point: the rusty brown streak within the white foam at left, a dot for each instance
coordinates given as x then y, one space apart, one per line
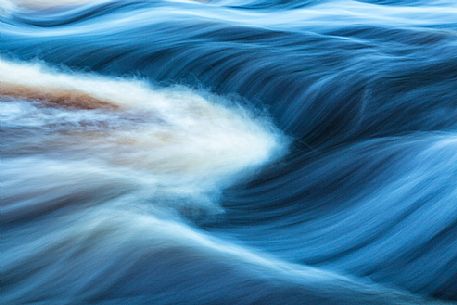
58 97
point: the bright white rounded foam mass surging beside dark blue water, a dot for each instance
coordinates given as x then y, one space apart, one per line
174 135
